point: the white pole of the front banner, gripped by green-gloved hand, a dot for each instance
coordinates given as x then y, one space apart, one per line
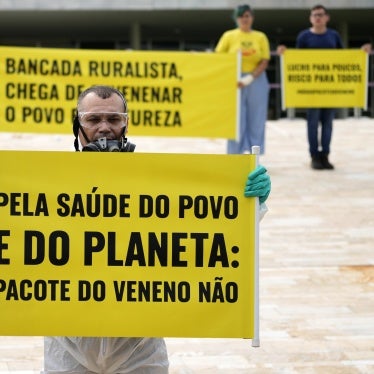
256 338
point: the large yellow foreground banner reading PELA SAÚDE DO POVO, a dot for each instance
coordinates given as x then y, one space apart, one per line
126 244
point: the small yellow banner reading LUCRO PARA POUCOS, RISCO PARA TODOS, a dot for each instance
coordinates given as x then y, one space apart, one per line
323 78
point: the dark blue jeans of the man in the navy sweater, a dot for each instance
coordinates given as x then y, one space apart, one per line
324 116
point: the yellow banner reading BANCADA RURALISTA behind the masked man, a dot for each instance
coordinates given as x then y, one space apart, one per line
169 93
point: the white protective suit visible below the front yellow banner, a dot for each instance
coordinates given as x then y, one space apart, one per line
105 355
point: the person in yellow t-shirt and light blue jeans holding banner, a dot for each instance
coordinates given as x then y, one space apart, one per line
255 51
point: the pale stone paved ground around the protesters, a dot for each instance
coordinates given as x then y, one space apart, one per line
317 260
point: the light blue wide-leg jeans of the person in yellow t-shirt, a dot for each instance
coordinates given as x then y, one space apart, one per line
253 115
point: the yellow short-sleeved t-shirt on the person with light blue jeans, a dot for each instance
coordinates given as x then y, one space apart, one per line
254 47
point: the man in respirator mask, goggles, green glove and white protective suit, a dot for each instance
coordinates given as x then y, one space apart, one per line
101 125
